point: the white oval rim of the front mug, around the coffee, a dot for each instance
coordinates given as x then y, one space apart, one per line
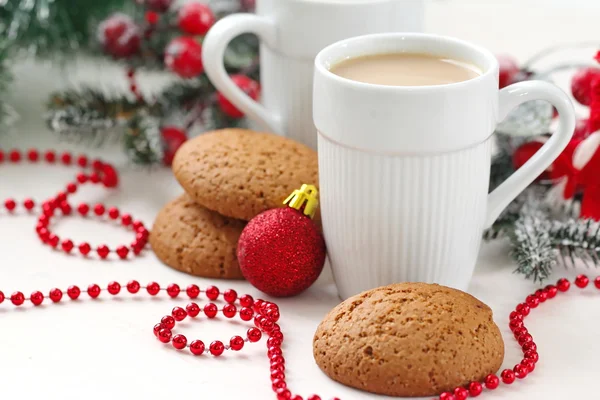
323 62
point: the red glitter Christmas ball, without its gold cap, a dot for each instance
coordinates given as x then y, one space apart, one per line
281 252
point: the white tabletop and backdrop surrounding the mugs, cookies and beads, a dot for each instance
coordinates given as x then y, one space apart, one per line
105 349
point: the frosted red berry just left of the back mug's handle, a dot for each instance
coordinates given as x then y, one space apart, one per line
183 55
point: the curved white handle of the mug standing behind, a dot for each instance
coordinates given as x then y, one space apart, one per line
213 52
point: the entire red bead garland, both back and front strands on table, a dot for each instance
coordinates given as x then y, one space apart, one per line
262 314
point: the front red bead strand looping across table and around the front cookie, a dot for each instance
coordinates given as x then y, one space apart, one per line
265 316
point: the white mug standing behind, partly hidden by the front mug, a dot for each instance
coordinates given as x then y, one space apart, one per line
292 32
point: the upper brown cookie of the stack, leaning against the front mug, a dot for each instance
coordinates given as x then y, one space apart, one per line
240 173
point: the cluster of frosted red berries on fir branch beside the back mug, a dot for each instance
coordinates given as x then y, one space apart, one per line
124 38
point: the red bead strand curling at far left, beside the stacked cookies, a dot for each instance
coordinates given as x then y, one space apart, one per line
95 172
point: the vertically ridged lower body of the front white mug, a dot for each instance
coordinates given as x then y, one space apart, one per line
393 218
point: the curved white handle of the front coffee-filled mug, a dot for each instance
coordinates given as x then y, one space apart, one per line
510 97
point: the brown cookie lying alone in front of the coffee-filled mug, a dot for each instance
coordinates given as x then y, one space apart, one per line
409 339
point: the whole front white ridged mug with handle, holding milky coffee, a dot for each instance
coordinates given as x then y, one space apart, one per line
404 171
